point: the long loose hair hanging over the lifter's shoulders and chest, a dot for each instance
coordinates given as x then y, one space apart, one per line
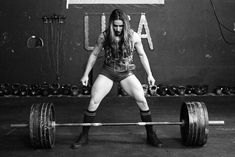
124 44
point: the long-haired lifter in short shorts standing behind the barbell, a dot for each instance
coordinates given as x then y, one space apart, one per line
119 43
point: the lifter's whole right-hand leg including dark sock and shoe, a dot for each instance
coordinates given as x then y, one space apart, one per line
133 87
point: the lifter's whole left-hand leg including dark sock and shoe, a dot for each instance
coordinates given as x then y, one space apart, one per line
99 90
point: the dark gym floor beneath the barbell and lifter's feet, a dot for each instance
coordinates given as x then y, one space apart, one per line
118 141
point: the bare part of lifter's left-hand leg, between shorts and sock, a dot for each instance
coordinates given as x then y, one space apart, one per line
100 89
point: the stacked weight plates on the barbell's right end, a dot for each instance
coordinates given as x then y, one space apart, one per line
195 130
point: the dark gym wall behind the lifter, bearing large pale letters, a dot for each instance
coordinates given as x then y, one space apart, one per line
187 44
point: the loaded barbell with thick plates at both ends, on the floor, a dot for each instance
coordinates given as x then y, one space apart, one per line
193 124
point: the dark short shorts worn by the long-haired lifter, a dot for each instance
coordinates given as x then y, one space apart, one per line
114 75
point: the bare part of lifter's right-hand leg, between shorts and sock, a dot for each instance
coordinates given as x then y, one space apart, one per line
134 88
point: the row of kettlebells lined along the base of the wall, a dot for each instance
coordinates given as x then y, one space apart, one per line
46 89
